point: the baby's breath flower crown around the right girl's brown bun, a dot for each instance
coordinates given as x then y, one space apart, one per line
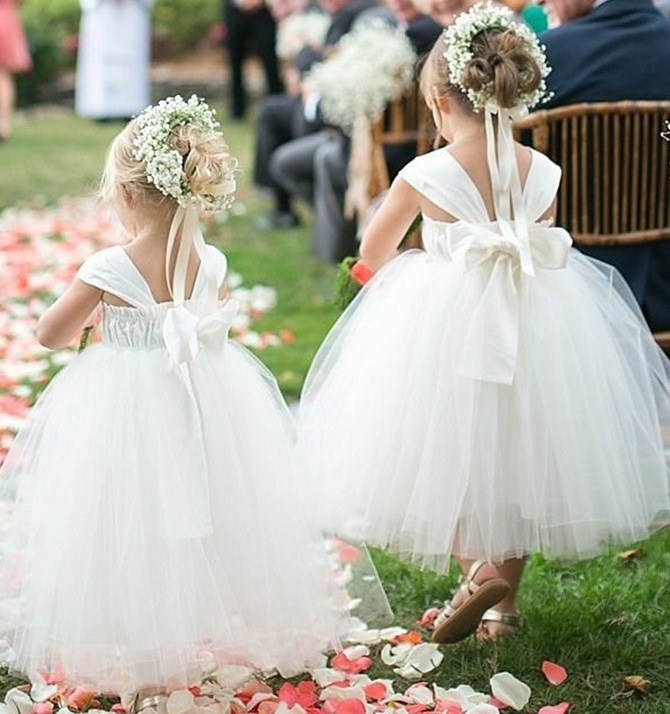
458 40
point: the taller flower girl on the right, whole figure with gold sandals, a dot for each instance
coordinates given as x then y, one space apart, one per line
498 393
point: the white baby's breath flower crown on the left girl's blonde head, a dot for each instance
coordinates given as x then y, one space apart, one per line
164 164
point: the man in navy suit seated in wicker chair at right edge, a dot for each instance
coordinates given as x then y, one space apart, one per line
608 51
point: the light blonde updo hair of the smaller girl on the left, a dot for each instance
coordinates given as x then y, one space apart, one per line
206 165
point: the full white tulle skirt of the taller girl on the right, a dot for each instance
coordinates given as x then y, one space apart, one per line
411 453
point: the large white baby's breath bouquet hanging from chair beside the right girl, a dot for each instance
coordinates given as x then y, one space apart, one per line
370 66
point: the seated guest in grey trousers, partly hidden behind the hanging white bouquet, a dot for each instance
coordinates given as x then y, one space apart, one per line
314 168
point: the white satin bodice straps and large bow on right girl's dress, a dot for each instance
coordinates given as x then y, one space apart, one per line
503 255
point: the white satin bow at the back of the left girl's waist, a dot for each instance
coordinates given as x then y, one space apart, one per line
185 333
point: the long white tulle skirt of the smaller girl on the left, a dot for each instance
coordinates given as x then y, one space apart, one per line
153 522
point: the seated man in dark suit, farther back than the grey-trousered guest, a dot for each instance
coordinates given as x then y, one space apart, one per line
282 117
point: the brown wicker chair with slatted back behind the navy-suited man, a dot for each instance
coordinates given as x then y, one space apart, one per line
616 187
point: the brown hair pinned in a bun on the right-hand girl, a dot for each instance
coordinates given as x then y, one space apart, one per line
501 61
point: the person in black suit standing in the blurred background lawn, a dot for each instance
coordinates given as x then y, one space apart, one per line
250 22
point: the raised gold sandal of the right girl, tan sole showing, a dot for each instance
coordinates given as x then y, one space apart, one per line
454 624
